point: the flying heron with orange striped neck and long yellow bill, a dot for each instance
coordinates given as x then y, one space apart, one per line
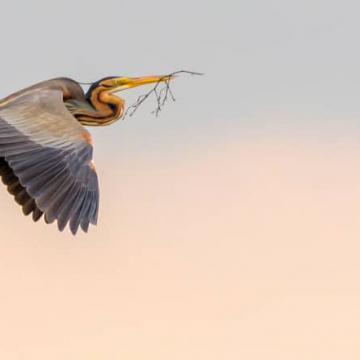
46 153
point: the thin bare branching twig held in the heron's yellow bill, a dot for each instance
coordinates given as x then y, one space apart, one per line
162 95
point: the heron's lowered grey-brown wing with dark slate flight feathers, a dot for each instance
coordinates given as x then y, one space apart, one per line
50 154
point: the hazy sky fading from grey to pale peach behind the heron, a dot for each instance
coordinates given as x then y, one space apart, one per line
229 225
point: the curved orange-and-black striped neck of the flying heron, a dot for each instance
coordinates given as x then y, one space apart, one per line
105 108
